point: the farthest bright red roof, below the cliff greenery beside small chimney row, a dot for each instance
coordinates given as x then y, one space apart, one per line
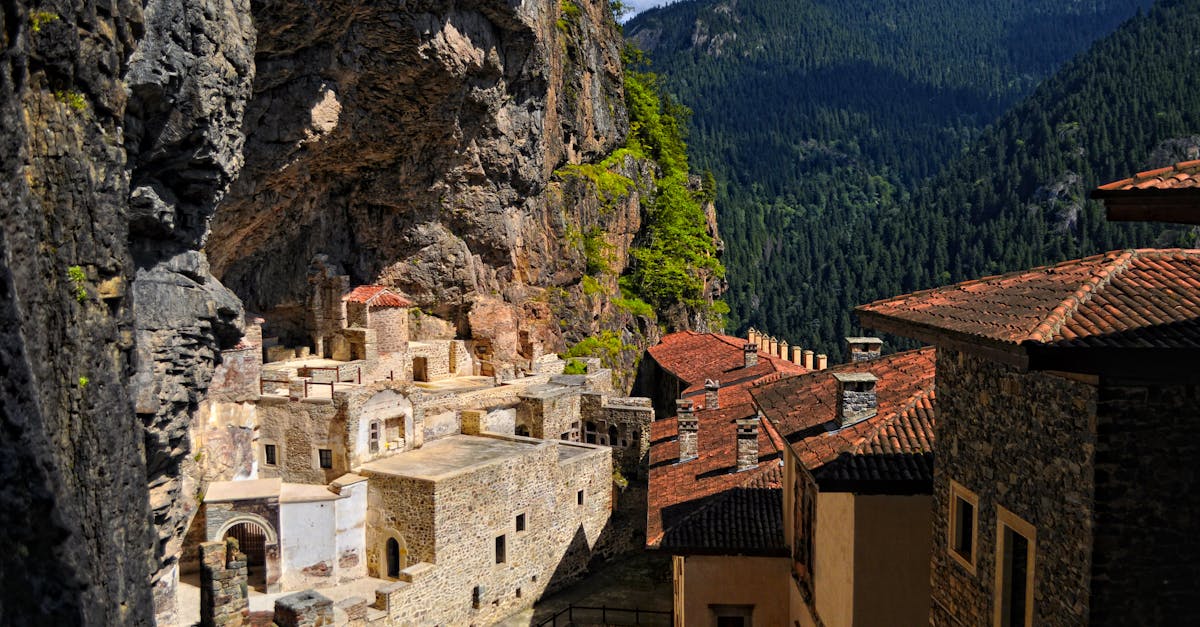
695 357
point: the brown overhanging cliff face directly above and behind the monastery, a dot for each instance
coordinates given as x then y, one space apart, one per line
416 145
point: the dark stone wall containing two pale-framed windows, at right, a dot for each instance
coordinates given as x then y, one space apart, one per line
1027 443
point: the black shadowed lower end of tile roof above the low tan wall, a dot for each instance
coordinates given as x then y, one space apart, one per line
745 519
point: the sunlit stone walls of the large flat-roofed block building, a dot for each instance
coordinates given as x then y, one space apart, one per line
461 583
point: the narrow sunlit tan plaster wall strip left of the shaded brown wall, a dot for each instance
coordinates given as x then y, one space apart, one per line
833 566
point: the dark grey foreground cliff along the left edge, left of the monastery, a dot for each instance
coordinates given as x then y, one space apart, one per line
122 130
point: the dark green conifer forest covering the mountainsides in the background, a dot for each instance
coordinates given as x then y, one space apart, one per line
860 159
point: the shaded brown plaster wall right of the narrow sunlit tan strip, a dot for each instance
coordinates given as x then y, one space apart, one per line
892 545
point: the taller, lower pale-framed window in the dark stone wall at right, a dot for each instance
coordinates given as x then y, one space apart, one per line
1015 571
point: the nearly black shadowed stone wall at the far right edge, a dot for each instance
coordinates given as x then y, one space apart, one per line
1147 560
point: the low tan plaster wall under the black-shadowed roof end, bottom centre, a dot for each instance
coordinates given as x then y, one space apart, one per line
736 581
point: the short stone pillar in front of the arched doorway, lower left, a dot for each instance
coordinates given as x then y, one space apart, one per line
224 595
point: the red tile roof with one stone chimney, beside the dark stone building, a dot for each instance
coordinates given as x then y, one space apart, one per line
896 445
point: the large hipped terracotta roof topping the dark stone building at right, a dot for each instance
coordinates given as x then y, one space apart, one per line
1133 298
